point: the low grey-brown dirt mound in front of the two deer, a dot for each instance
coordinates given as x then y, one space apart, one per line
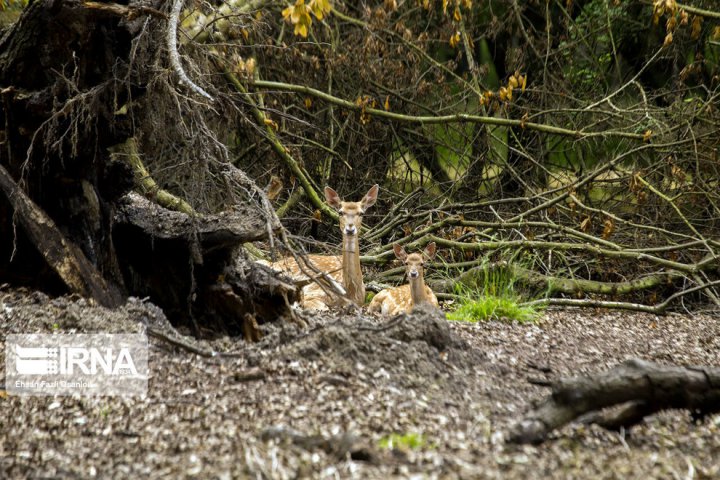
412 349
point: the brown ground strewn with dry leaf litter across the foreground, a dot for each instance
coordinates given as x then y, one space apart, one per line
322 402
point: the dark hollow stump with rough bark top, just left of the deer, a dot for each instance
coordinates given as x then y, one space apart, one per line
193 269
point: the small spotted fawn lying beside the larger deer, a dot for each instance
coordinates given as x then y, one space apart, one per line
392 301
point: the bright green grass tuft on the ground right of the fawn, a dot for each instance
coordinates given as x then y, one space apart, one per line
493 297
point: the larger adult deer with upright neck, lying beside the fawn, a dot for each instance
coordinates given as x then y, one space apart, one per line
343 269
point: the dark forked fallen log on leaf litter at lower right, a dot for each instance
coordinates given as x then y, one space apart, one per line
641 388
